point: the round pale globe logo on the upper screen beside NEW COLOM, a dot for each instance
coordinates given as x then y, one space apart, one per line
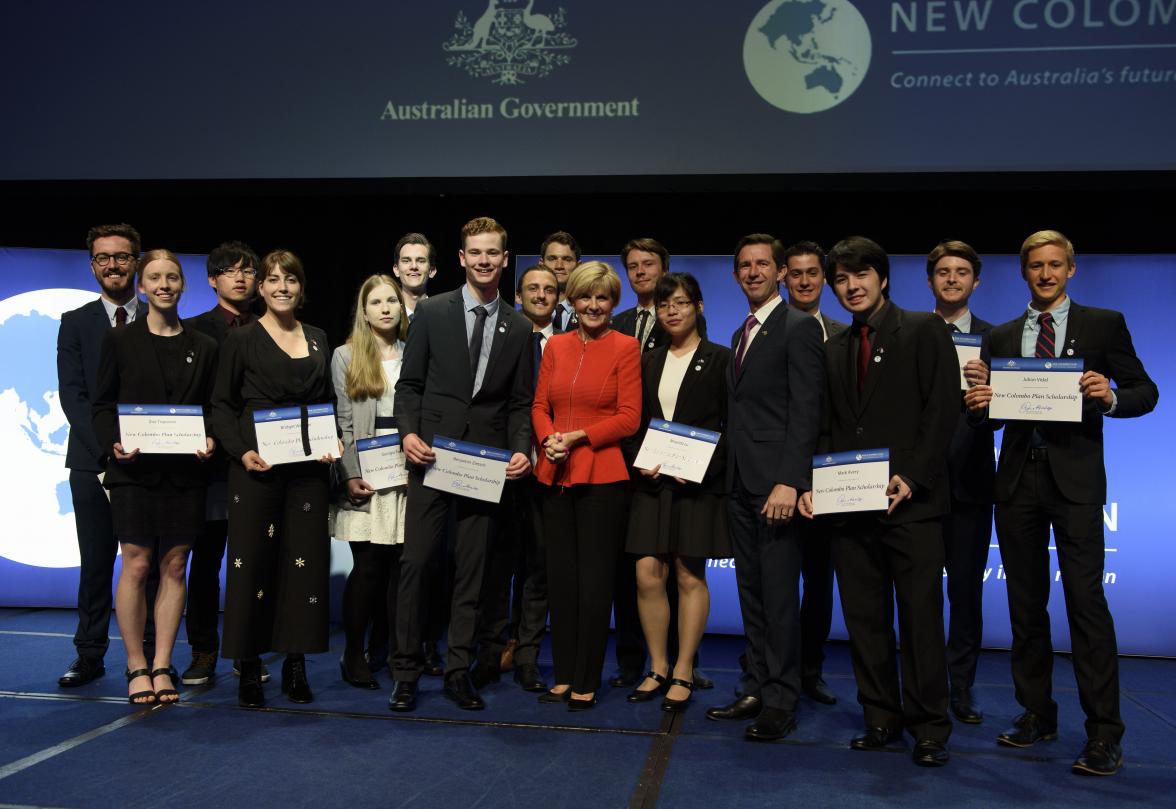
807 56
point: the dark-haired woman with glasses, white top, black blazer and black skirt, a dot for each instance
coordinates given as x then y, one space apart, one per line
674 525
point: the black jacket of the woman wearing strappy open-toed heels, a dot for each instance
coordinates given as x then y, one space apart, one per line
130 373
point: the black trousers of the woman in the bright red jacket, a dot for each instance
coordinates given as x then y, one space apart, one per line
586 530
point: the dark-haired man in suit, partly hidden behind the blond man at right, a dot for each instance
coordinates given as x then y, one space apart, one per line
953 275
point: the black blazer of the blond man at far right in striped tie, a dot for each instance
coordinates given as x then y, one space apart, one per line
1101 339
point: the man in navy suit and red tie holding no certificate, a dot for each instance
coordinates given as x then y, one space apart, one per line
776 384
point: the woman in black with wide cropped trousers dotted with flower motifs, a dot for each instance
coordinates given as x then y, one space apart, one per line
279 549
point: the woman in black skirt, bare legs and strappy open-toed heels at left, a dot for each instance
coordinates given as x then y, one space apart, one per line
157 500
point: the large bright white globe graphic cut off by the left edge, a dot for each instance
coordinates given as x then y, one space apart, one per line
34 431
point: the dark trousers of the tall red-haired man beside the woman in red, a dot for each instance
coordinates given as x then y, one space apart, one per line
427 518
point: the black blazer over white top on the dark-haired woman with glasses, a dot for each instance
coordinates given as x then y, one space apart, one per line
701 403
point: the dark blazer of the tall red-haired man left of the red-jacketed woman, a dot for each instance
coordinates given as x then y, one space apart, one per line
433 395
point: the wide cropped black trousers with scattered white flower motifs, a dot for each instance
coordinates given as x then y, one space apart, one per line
279 570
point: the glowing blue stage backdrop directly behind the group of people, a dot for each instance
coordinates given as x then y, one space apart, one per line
38 549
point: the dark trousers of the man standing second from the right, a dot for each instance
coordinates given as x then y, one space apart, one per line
967 536
